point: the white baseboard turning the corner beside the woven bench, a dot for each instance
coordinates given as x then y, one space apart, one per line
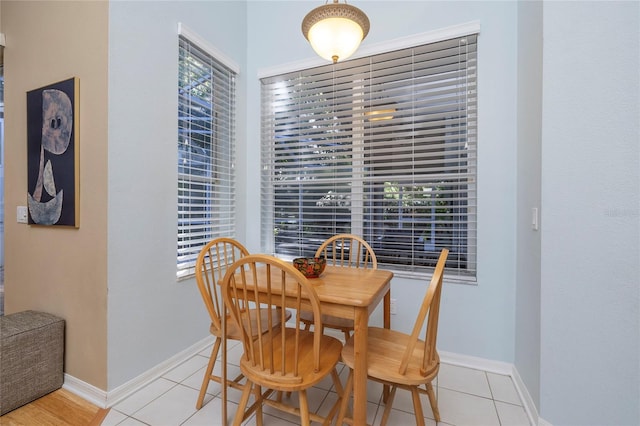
108 399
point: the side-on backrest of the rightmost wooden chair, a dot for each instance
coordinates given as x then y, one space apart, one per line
431 306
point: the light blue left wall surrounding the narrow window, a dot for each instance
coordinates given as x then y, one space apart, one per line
151 317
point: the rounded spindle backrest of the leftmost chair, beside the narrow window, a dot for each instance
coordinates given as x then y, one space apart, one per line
213 261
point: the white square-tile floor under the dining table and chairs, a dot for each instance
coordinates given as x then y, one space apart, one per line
465 397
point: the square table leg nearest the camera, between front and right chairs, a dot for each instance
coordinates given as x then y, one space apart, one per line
360 336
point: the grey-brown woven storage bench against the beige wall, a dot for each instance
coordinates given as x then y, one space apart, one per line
31 357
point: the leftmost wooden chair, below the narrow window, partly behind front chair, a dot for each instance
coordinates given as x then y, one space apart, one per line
211 265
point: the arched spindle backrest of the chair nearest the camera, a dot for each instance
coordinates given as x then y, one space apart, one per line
275 353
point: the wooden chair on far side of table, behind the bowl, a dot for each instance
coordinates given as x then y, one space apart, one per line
346 250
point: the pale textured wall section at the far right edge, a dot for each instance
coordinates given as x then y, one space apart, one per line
590 297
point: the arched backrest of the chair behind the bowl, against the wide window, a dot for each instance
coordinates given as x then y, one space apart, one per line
348 250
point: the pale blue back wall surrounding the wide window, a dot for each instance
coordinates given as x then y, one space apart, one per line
475 320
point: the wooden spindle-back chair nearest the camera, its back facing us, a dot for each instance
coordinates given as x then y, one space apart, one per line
286 358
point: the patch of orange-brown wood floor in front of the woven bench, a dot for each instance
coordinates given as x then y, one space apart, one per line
59 408
